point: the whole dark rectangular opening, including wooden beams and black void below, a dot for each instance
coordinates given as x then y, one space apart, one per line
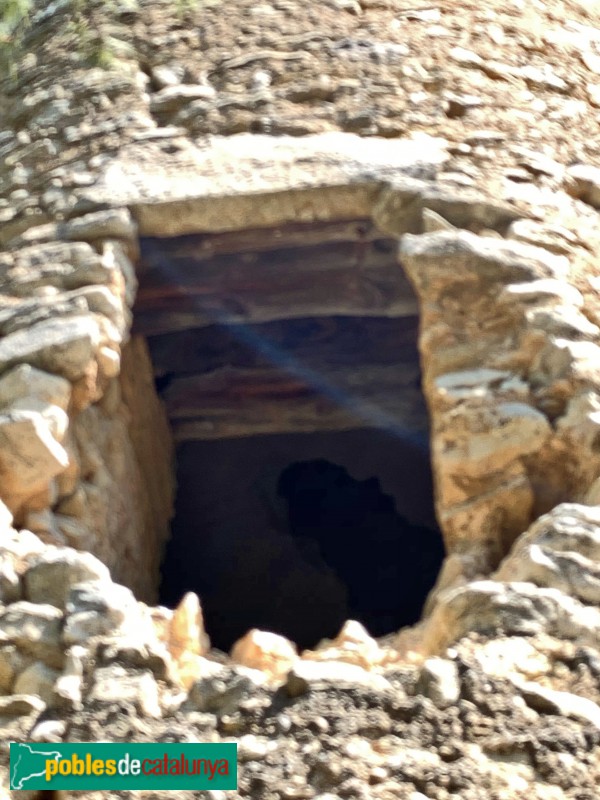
274 350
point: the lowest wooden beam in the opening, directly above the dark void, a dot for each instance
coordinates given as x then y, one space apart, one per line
233 402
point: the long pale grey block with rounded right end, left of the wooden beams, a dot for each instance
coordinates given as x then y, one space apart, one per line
63 346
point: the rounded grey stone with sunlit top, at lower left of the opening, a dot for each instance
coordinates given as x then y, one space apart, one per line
53 573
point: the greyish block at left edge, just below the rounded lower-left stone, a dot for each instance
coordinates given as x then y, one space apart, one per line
36 629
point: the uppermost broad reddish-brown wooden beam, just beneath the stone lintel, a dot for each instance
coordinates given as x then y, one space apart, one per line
194 281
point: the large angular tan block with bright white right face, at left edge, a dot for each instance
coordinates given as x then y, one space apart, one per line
30 457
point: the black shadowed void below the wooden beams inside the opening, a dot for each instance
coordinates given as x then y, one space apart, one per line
272 533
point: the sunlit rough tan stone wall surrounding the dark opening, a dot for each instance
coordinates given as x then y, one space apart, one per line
481 157
